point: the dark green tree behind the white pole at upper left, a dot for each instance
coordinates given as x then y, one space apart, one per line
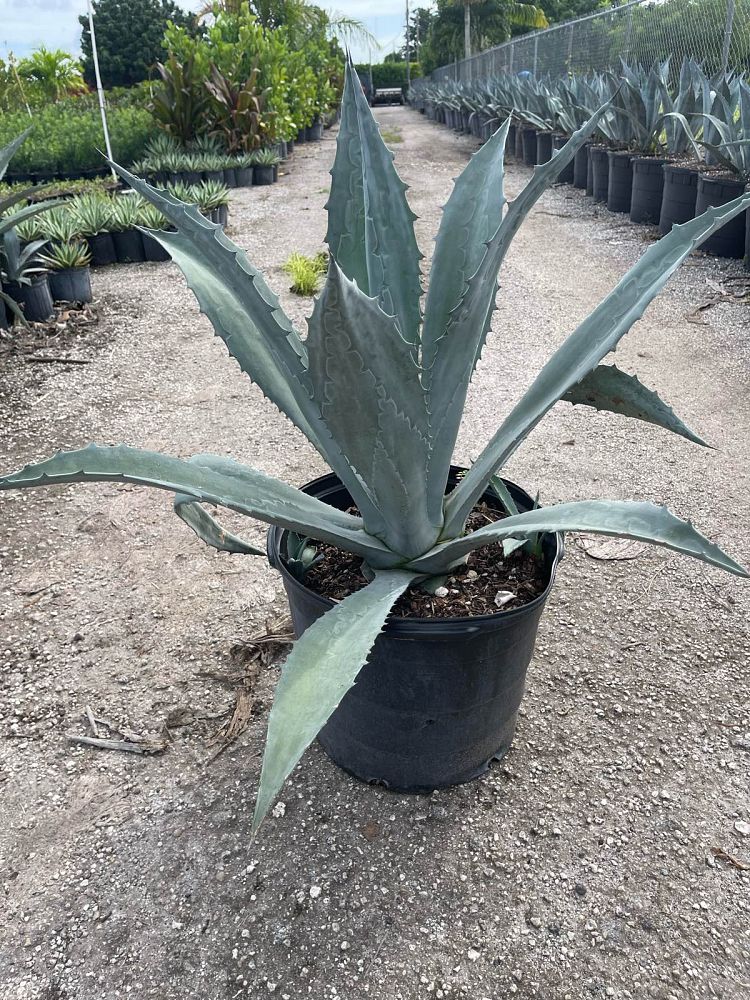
129 36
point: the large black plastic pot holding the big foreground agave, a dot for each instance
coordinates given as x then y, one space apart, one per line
438 699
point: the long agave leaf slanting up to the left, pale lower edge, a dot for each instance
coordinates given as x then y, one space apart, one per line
247 316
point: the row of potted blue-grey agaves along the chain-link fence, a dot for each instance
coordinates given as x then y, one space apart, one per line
665 150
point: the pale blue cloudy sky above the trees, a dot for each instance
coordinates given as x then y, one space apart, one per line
27 24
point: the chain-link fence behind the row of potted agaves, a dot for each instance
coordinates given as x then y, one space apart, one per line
715 33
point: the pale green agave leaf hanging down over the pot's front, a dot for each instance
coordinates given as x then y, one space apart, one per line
322 666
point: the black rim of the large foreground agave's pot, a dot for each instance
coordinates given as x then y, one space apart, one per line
413 624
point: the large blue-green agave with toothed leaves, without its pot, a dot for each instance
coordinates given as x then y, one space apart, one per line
379 389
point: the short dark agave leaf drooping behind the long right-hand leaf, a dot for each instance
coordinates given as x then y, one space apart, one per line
608 388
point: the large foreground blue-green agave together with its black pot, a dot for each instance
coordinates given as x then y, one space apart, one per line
379 388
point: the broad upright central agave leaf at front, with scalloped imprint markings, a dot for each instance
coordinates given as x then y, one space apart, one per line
366 382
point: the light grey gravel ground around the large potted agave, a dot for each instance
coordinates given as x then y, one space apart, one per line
606 856
